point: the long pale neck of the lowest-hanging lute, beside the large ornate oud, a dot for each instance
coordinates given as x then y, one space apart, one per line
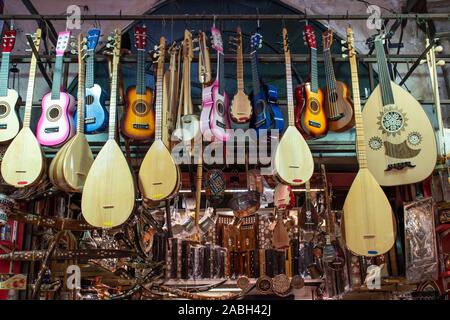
360 139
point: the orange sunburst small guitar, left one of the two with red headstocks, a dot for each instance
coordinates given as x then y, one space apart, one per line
138 121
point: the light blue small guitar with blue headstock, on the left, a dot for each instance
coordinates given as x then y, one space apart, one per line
96 115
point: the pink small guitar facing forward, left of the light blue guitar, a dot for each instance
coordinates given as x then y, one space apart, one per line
56 124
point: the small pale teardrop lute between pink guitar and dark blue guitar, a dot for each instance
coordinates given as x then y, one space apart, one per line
241 109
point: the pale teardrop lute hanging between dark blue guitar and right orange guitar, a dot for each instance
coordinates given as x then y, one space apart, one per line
294 163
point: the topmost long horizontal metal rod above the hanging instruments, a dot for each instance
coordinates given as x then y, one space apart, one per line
279 17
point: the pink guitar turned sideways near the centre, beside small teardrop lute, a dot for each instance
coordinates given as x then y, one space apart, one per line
215 103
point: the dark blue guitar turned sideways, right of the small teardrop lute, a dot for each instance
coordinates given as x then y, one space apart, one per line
266 112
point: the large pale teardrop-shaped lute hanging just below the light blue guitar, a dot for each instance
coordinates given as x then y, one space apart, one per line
108 195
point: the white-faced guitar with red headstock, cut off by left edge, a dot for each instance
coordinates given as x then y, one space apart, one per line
9 120
